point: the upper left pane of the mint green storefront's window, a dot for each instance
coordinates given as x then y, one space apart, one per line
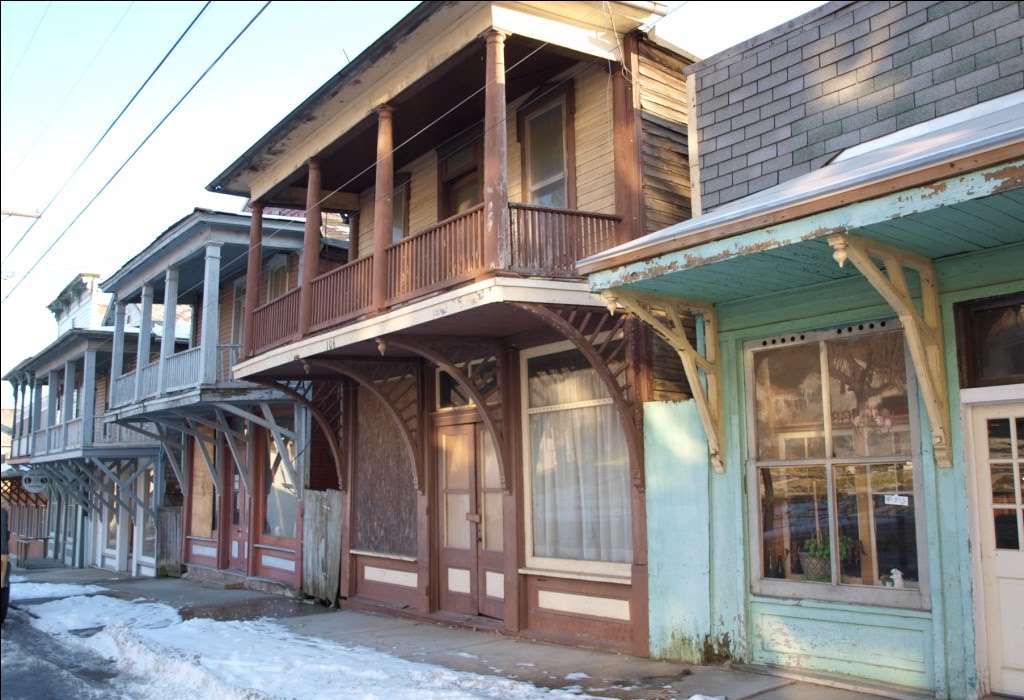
788 397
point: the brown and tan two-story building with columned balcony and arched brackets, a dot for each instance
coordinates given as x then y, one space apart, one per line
486 408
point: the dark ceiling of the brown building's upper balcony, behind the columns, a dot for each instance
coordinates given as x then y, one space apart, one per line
436 109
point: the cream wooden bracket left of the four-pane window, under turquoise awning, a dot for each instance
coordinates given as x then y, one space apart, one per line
665 317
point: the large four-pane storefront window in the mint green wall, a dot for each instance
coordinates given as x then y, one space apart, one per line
835 491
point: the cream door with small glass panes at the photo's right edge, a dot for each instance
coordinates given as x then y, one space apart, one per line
999 459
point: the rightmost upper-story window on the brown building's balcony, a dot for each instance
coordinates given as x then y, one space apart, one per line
546 133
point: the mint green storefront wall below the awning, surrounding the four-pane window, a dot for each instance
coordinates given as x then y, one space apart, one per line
928 649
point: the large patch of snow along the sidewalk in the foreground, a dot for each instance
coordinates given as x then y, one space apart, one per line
257 660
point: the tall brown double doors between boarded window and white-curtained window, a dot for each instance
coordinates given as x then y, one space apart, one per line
471 529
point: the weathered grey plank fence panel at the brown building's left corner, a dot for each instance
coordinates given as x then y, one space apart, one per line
322 544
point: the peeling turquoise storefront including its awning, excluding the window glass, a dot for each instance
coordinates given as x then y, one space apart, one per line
703 580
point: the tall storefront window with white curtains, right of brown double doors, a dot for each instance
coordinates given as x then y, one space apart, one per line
578 488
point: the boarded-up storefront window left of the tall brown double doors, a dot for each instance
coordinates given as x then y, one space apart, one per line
386 497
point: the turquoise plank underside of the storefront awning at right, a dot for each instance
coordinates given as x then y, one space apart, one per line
743 272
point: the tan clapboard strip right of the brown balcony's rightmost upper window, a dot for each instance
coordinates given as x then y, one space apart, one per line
595 171
